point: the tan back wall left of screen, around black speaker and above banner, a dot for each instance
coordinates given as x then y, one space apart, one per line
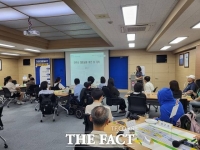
25 70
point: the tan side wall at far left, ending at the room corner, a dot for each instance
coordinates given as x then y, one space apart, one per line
9 68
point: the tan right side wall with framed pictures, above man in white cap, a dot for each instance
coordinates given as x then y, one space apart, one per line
182 72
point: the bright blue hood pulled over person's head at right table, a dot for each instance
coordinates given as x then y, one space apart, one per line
165 95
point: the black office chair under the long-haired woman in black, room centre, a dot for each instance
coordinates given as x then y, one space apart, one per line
112 101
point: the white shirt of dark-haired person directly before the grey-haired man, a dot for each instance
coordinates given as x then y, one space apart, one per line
89 108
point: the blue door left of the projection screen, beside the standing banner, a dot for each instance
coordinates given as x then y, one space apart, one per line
59 70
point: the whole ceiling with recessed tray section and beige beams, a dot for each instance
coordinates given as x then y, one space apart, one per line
67 25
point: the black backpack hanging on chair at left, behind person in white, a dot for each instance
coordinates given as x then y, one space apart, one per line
46 105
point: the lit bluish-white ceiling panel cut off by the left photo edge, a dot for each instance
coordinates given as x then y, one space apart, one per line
10 14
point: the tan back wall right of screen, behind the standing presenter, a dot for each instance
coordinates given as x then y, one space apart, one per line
160 73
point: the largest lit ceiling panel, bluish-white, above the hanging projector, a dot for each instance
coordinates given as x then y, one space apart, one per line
46 10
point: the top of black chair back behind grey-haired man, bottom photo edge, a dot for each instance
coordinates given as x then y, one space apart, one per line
87 147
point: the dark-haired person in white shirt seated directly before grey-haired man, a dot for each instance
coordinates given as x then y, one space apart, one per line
97 95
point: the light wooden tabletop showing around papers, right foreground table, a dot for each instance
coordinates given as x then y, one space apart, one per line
114 127
